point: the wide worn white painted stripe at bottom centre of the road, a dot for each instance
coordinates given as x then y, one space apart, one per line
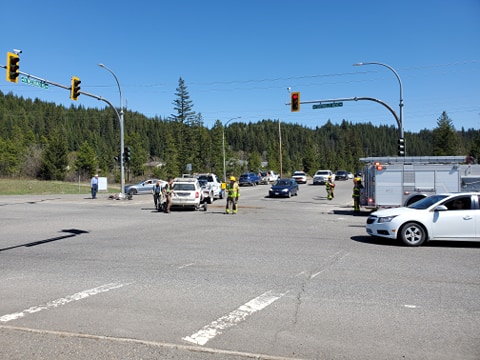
216 327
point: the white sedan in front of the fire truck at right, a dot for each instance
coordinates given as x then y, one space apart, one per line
452 217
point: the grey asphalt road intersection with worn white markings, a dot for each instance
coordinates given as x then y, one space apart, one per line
290 278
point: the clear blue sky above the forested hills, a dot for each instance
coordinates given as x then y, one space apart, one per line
239 58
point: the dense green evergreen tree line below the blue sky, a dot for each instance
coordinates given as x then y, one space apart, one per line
43 140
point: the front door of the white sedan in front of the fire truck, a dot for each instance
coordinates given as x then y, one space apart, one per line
456 223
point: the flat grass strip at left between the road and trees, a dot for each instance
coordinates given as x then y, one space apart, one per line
40 187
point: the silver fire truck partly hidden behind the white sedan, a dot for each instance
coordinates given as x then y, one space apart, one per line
400 181
